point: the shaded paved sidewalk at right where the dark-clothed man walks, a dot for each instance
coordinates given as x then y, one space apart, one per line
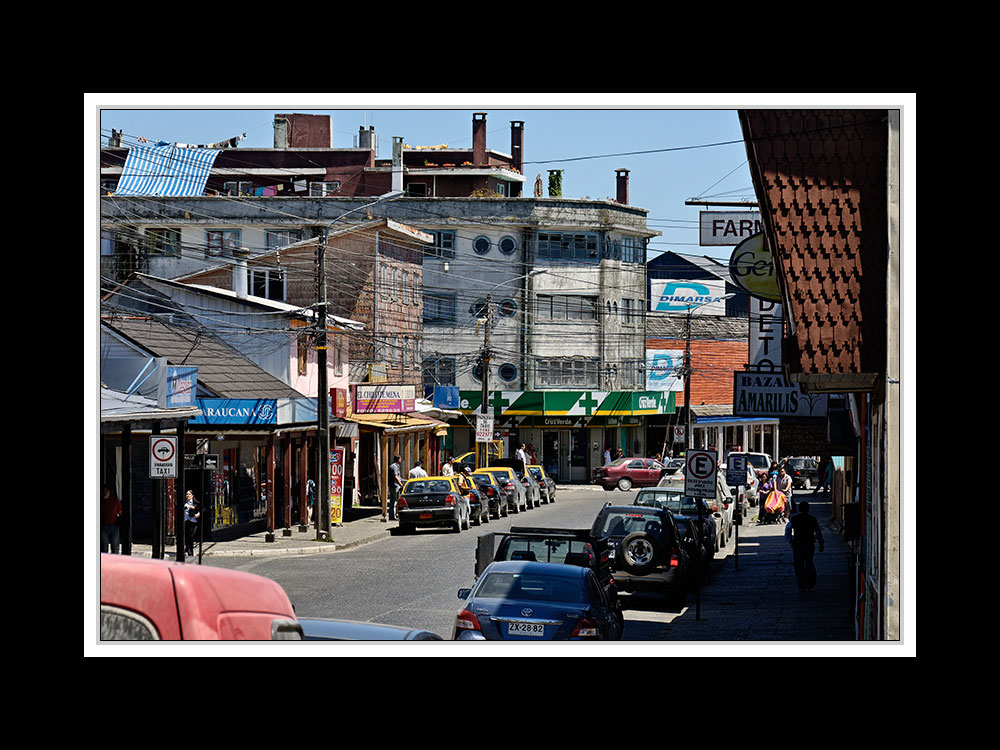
760 601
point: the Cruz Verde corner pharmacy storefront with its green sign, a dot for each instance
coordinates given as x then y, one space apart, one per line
567 432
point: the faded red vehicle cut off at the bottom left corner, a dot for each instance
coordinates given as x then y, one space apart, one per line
160 600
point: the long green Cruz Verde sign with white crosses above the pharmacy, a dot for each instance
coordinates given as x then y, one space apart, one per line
571 403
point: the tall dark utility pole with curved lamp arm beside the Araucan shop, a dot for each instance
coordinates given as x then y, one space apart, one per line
322 397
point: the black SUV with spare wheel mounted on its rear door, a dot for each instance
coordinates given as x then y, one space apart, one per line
647 552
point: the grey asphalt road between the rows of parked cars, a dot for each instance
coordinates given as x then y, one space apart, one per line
413 580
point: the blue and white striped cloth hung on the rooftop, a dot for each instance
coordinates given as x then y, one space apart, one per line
166 170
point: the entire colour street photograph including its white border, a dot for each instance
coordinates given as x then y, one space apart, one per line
355 389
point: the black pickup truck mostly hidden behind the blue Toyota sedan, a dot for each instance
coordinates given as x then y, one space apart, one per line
566 546
